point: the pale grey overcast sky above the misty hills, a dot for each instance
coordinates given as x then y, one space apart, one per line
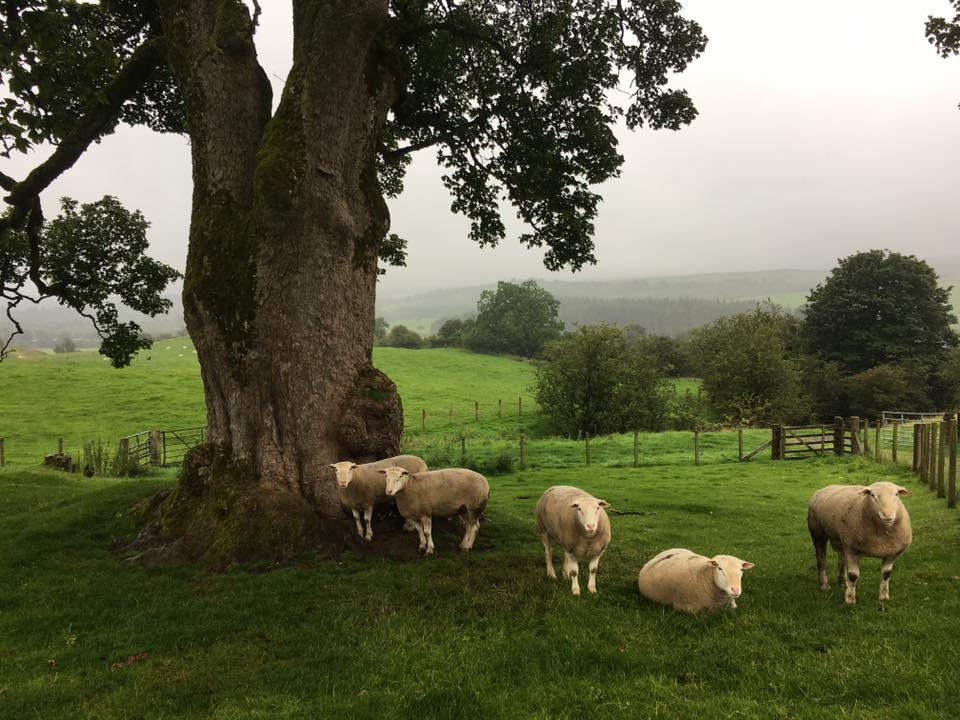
825 127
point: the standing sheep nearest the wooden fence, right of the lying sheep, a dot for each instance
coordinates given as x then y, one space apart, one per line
859 521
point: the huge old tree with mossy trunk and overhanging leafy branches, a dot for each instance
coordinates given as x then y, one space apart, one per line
518 100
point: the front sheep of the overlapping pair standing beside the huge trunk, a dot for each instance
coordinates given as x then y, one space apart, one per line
452 491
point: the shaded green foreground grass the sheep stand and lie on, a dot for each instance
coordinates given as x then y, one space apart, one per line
484 635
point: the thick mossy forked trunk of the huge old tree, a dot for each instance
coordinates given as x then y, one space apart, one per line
287 222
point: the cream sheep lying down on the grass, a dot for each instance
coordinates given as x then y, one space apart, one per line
693 583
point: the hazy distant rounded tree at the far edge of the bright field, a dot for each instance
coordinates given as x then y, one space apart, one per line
515 319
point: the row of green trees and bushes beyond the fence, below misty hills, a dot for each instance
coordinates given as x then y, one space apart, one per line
876 335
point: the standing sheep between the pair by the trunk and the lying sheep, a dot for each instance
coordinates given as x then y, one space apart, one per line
578 523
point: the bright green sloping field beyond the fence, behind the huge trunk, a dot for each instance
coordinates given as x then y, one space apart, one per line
80 397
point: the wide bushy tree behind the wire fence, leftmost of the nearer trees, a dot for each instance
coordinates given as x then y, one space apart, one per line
593 382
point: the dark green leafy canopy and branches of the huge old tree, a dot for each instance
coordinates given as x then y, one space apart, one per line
518 100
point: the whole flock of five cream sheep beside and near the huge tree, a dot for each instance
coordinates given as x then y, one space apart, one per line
858 521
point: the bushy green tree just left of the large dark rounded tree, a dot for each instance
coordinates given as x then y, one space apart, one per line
746 373
